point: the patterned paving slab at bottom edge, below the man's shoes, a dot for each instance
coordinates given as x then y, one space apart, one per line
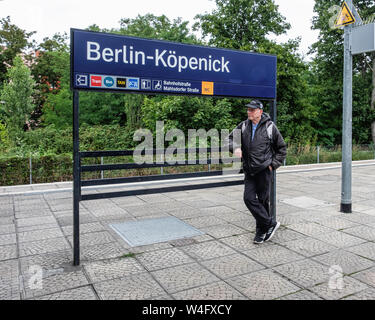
263 285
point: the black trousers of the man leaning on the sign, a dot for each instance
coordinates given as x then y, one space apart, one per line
257 198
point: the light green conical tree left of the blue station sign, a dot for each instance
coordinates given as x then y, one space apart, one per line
16 97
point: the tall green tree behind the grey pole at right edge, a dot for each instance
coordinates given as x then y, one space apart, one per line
327 83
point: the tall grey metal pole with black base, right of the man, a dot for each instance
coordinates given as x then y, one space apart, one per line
346 179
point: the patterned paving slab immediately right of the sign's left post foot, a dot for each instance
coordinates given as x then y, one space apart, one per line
111 269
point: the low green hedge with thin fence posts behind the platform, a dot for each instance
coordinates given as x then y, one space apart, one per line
35 169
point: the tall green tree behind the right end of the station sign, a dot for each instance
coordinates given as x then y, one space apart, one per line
246 25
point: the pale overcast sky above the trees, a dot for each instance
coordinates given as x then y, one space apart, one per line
50 16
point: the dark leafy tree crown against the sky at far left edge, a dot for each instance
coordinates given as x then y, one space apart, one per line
13 41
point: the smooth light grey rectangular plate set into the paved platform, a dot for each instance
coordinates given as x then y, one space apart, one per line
150 231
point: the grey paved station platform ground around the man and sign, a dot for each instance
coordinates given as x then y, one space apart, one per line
318 252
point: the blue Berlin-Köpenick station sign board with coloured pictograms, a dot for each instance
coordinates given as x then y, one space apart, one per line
102 61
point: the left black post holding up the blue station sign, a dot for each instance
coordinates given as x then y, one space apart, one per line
76 178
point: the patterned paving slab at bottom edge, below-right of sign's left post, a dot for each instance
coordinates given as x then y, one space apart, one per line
134 287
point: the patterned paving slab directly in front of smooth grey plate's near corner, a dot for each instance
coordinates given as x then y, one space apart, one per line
161 259
